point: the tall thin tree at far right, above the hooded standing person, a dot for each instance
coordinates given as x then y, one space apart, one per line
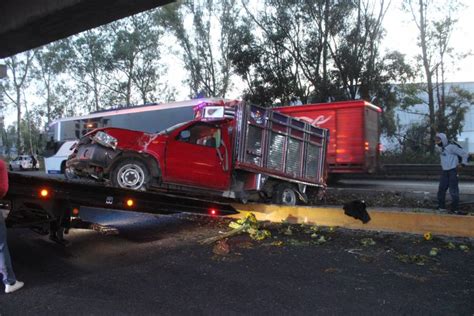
435 24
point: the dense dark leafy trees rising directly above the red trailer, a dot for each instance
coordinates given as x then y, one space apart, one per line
317 51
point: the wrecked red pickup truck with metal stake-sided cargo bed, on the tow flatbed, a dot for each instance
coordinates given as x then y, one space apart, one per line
230 149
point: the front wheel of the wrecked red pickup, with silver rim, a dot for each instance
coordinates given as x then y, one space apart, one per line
130 174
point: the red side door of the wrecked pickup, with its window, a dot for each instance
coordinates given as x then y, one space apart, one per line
199 156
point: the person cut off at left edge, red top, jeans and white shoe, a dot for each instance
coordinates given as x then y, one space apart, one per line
6 269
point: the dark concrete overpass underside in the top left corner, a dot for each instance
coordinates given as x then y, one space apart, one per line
26 24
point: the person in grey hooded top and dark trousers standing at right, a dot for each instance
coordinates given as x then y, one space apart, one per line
451 154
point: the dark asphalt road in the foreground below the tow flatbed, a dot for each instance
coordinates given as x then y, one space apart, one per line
156 266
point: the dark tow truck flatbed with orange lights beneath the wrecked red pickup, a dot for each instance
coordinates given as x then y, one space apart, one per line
52 205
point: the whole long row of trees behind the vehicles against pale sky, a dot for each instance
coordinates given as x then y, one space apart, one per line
311 50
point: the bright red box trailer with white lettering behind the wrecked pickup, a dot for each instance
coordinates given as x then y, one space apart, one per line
354 129
